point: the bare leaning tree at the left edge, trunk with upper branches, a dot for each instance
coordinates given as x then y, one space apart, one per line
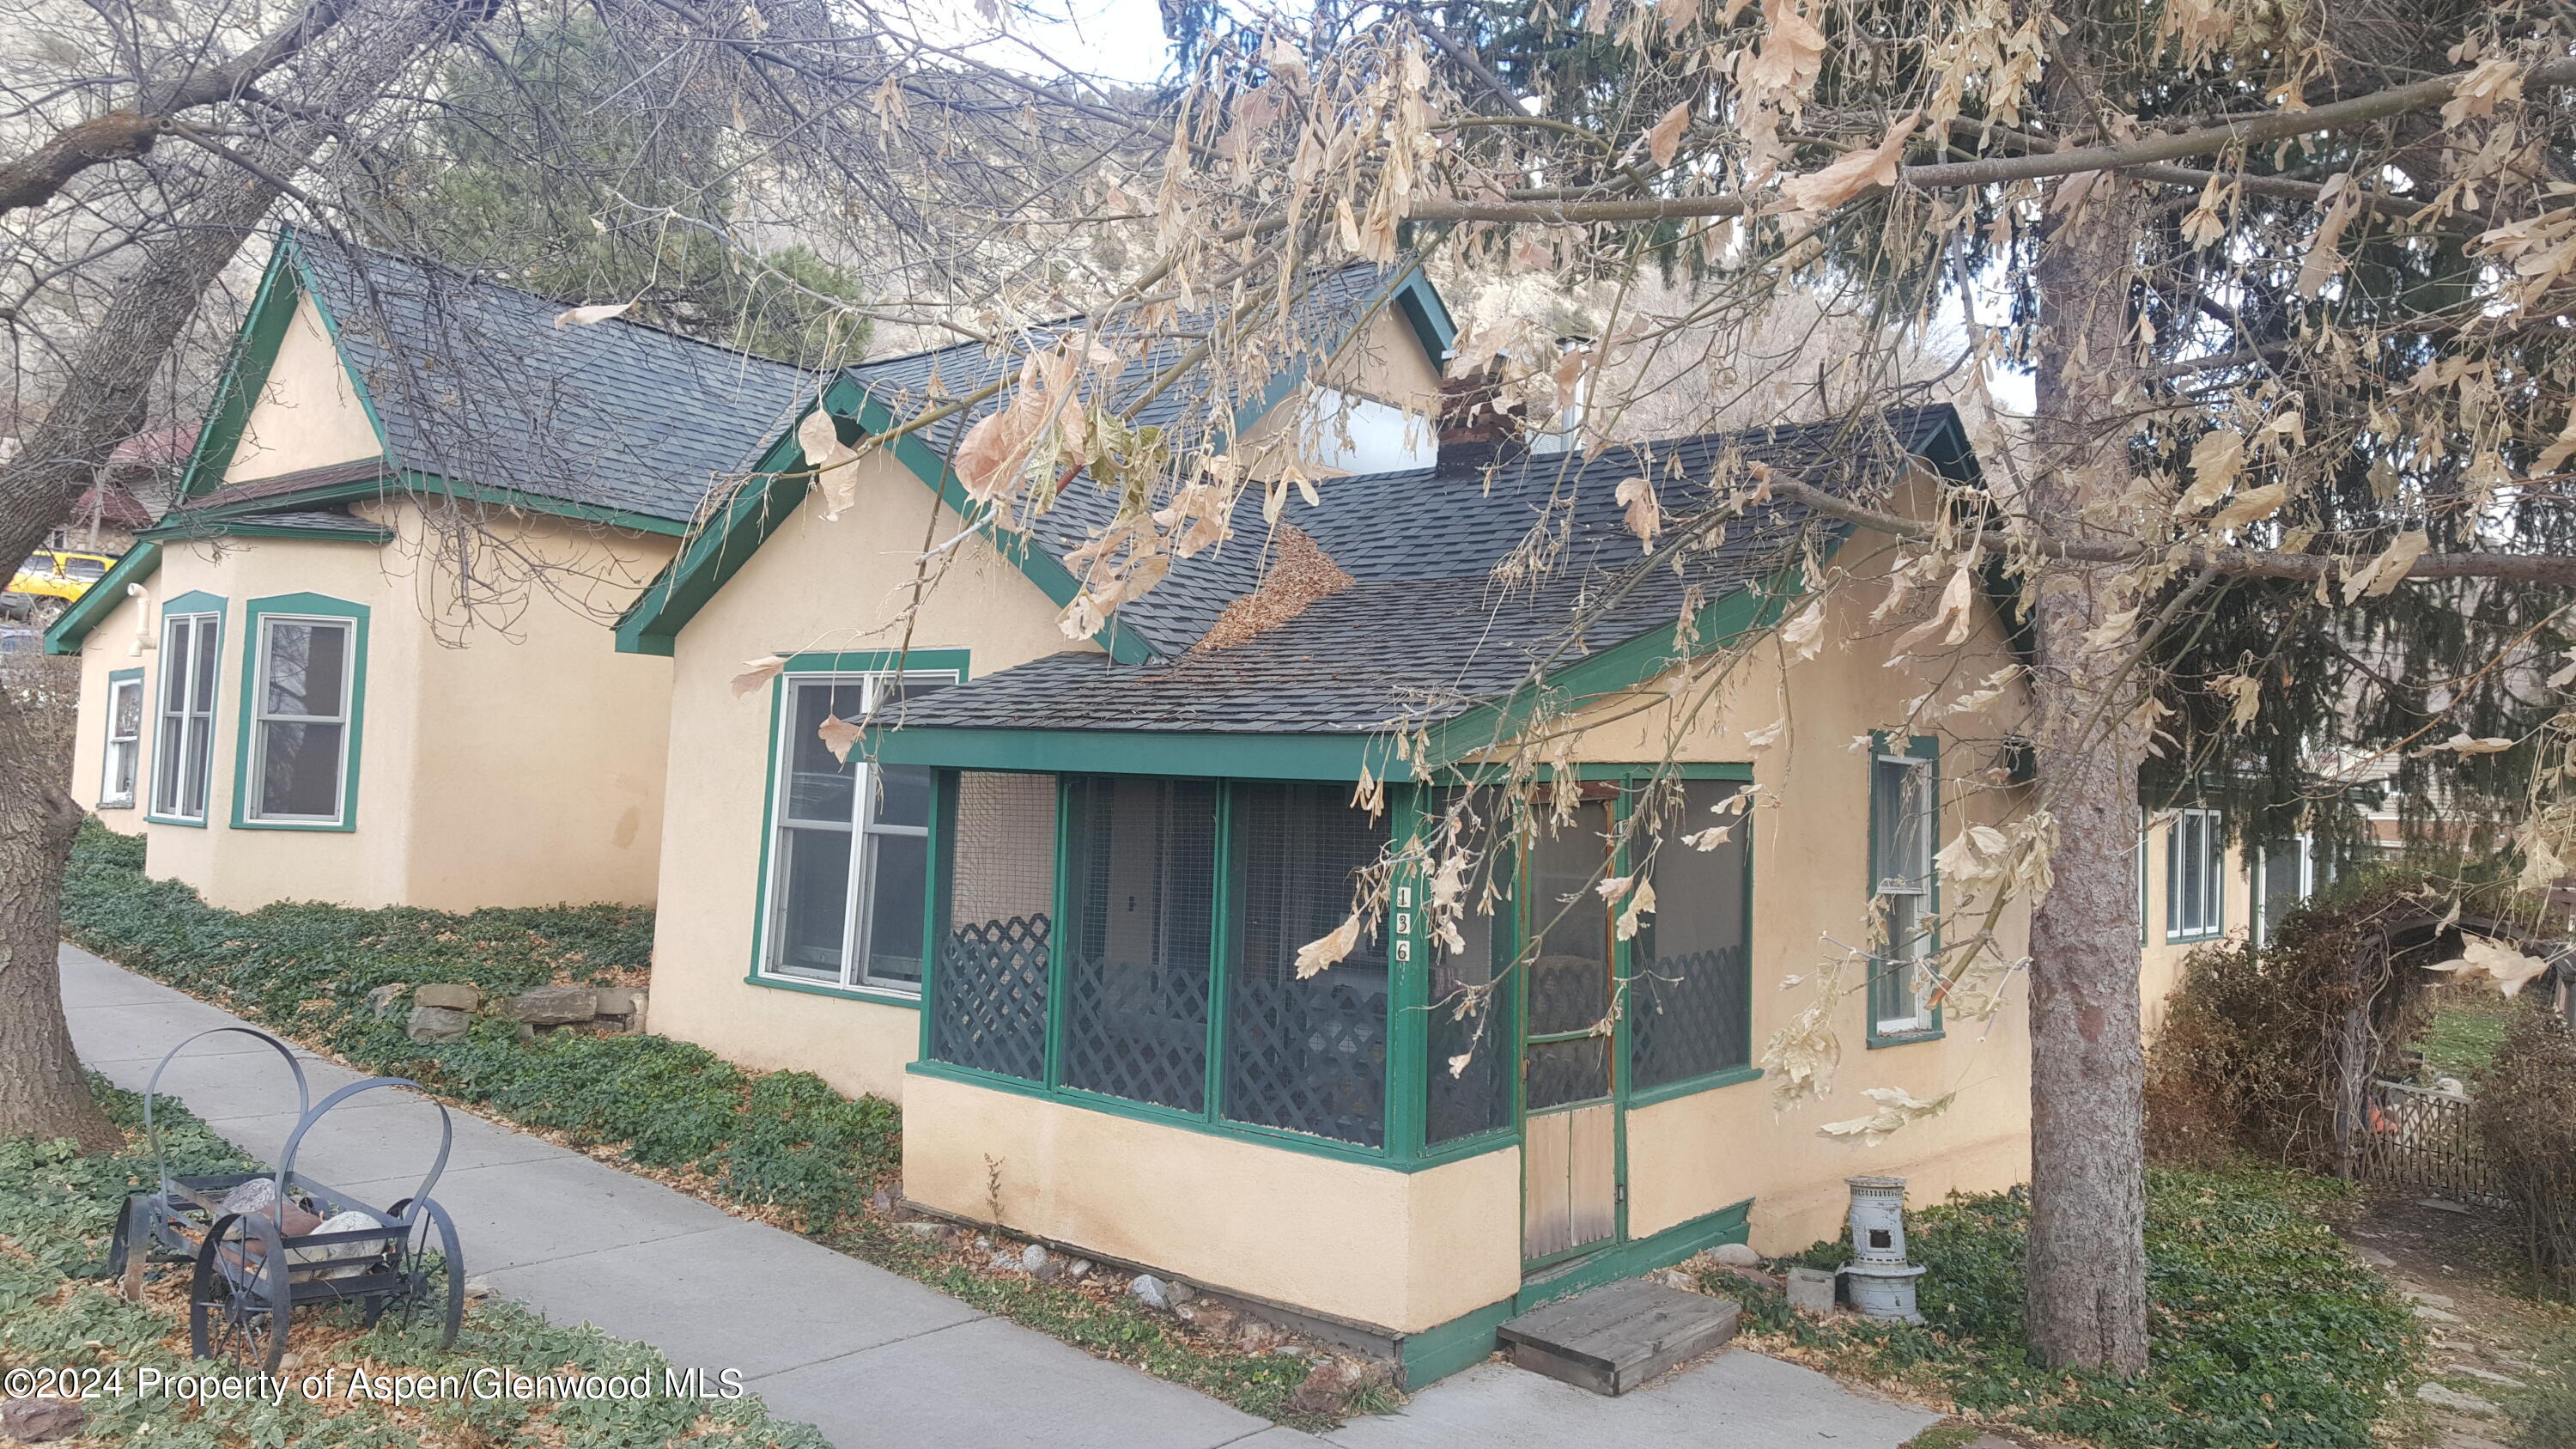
184 226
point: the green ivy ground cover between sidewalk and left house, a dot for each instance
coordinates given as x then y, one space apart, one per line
772 1141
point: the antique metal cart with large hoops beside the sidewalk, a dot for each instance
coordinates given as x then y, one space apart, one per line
254 1275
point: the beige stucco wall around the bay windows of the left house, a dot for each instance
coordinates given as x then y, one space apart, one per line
501 764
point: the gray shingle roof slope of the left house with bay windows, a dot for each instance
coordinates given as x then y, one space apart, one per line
475 383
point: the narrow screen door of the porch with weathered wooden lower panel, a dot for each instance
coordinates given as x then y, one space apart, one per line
1570 1120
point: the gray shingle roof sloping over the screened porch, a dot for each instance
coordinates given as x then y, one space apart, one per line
1428 630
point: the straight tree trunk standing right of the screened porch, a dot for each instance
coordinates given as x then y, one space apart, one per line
2088 1061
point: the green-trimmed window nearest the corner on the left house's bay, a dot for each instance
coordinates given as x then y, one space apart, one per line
300 710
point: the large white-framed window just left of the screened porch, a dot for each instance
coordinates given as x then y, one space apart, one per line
849 842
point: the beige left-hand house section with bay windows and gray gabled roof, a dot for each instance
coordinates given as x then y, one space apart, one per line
367 656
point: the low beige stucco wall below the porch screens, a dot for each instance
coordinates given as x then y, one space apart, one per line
1346 1239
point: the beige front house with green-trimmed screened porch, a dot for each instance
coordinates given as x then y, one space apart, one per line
1068 899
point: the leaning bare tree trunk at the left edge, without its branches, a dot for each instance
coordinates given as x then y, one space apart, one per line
104 404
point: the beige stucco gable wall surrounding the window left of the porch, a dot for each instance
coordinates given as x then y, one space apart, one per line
818 587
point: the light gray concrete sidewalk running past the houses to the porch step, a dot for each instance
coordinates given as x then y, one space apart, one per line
869 1357
